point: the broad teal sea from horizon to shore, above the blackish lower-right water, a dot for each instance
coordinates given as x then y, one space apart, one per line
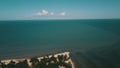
37 37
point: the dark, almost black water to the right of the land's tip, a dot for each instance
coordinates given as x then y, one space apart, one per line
101 57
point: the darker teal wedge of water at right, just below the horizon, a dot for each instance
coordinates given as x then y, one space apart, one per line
108 25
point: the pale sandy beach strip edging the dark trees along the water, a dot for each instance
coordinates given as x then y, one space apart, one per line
67 54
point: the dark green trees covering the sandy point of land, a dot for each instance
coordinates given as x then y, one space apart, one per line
60 61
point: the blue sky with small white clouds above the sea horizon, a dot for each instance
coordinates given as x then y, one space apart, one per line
59 9
